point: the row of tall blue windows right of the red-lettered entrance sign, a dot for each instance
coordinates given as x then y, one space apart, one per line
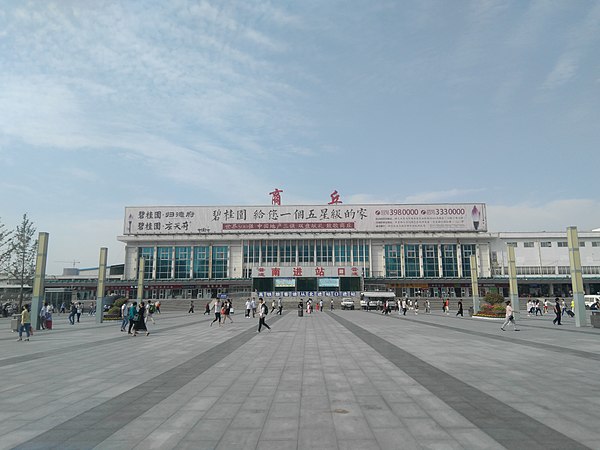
436 260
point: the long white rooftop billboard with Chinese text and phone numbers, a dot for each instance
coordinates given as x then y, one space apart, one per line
170 220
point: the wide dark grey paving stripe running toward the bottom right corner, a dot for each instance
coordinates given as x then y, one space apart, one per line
472 403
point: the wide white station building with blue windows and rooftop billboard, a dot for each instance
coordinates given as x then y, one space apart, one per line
341 250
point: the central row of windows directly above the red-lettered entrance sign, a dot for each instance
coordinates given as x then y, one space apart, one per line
293 252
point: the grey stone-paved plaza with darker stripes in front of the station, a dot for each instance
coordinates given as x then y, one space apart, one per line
331 380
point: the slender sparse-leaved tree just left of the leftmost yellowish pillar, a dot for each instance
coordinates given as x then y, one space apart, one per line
23 250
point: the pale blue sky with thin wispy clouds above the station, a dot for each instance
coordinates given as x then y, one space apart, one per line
108 104
